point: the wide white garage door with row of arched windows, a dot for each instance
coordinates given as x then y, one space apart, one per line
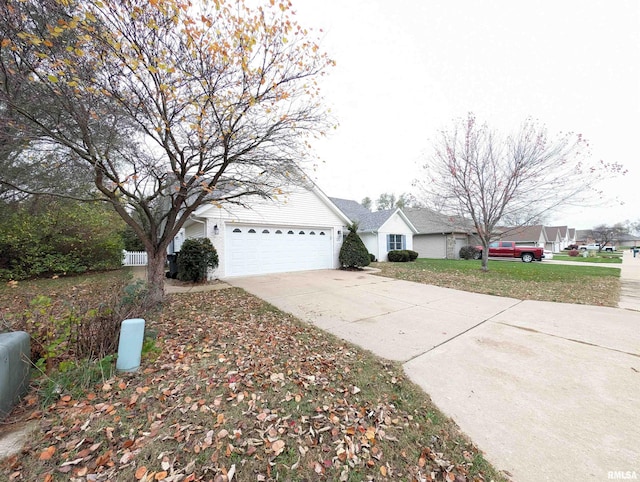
267 249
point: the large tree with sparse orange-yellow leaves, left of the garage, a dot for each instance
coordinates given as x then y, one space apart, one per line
165 105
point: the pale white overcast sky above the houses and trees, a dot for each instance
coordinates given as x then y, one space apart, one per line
407 68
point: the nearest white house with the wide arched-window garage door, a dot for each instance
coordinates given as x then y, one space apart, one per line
300 230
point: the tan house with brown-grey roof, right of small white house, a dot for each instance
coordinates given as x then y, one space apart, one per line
439 236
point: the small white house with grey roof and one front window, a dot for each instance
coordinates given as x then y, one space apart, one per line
381 231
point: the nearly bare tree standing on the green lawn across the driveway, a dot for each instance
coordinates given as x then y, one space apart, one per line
514 180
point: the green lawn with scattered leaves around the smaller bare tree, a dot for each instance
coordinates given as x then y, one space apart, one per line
528 281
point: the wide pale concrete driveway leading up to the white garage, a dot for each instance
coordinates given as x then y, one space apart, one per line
548 391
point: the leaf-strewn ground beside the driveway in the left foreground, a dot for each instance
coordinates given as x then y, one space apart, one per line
235 390
